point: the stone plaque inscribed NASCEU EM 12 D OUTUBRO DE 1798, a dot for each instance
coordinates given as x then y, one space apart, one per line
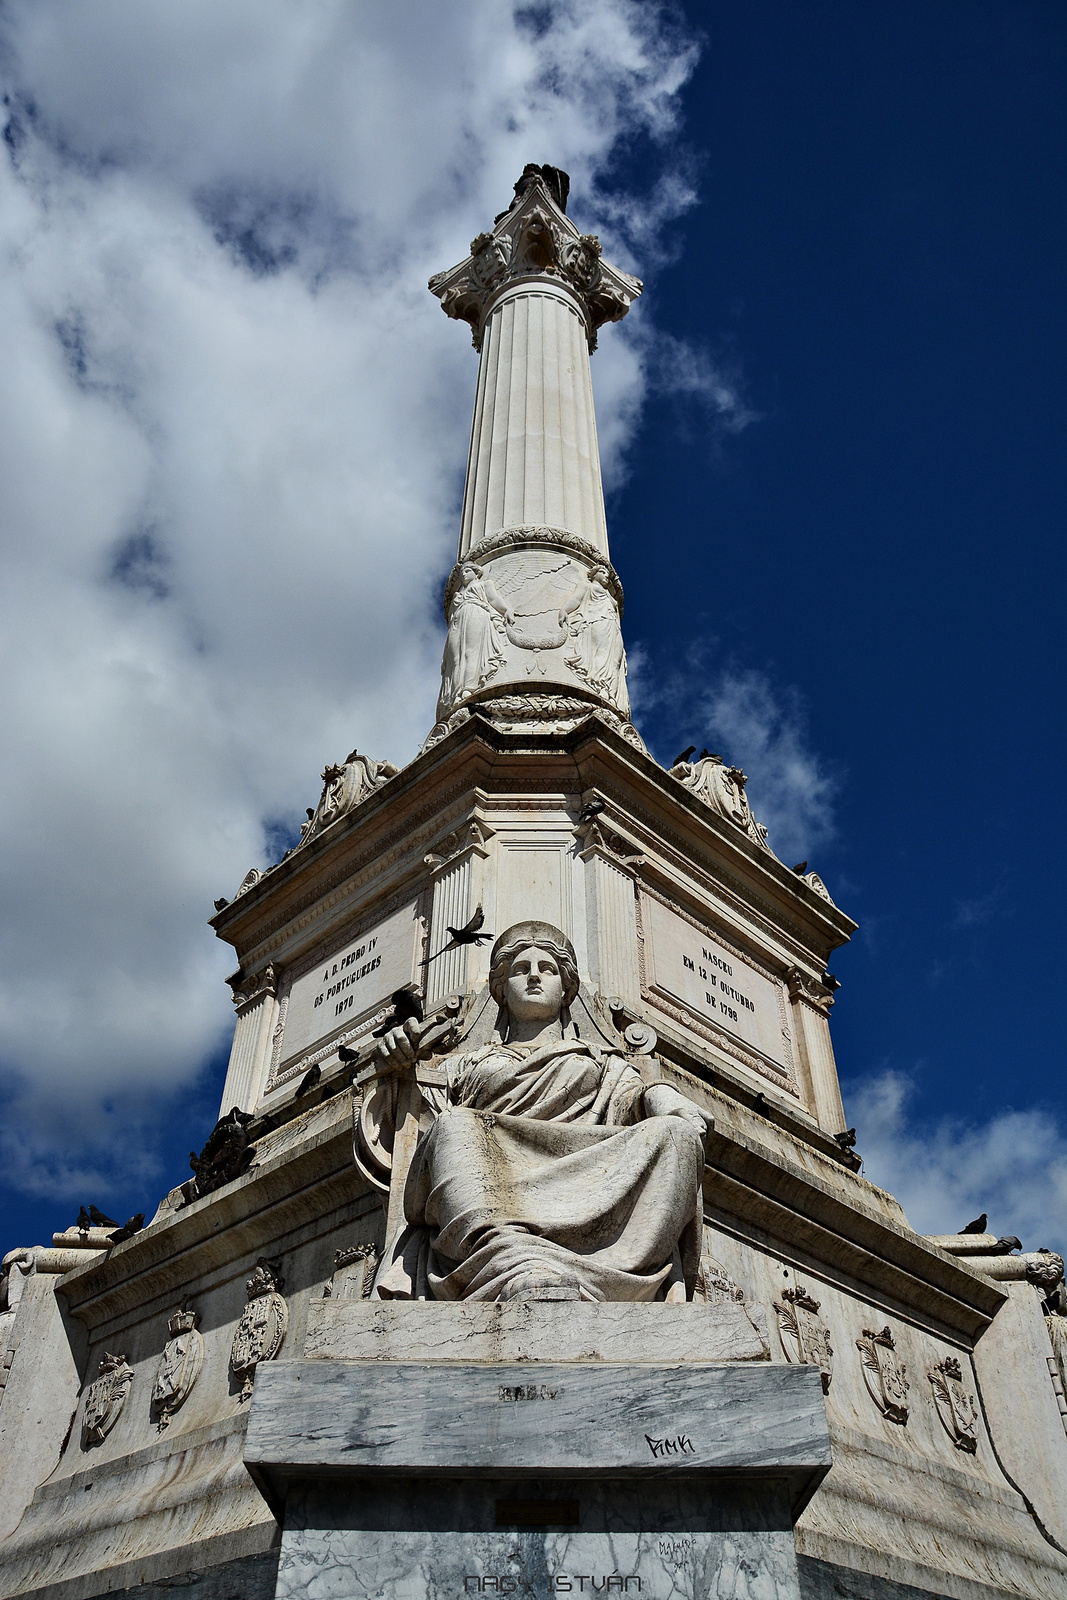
700 980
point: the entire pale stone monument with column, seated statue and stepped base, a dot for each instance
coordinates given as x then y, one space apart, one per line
530 1254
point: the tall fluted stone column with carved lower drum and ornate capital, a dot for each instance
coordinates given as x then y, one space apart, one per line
533 604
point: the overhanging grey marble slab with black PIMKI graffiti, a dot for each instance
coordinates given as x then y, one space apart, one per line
313 1418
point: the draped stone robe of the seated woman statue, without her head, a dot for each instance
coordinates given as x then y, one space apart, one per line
543 1169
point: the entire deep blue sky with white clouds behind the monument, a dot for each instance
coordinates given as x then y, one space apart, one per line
834 450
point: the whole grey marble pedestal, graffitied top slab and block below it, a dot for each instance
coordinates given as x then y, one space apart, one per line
446 1479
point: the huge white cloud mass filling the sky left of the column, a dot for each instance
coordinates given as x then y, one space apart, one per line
233 431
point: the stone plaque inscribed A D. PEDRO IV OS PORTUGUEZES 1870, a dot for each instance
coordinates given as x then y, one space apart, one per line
329 996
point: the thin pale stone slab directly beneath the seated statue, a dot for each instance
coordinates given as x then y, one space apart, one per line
524 1332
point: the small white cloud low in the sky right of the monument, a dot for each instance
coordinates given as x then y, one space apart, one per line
948 1172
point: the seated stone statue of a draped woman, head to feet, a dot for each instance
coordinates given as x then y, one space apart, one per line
546 1167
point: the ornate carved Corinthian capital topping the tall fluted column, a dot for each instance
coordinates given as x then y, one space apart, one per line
535 239
